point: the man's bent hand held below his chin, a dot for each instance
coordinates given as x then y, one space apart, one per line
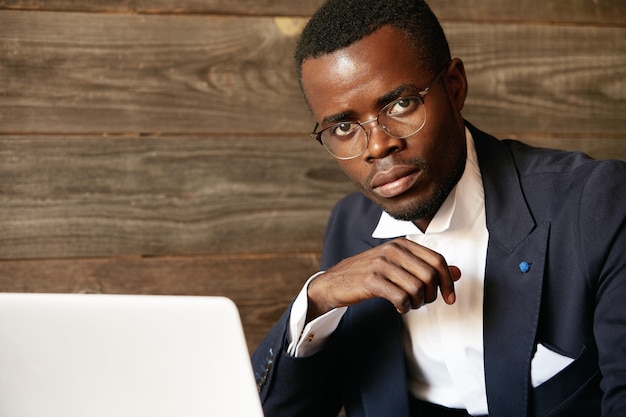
401 271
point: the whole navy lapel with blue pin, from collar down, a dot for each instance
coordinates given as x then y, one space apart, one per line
513 281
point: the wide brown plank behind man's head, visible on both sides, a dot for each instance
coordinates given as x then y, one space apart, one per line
74 73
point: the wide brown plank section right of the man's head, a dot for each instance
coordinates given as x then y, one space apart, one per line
543 81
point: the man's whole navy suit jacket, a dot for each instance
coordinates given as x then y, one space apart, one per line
564 214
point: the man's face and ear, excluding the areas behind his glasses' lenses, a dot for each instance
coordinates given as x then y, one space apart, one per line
411 177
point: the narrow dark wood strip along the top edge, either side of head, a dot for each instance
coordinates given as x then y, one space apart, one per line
598 12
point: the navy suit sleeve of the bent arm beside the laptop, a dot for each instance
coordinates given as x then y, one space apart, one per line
312 386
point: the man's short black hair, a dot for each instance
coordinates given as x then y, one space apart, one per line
339 23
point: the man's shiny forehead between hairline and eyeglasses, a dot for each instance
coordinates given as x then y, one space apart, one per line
351 80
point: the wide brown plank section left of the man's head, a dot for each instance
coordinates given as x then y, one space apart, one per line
76 72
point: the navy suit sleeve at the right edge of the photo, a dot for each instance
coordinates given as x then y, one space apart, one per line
603 220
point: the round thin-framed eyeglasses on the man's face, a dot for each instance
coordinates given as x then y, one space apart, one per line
400 119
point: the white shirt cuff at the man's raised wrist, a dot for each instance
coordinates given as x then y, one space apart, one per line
307 340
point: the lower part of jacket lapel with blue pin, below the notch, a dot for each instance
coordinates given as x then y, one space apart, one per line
513 286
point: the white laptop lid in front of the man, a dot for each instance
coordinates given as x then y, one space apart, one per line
91 355
